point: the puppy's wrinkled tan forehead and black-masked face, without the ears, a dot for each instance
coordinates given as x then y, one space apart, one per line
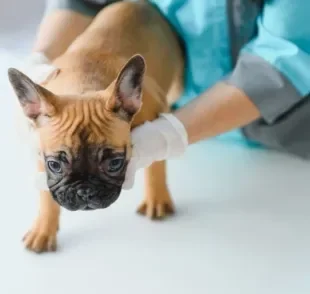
86 141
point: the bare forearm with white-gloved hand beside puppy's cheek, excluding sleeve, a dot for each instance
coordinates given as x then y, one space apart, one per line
218 110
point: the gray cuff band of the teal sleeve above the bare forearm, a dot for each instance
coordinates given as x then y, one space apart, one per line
267 88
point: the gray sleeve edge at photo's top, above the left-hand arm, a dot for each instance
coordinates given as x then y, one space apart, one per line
85 7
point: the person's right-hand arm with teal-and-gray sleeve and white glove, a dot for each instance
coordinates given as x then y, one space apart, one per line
271 77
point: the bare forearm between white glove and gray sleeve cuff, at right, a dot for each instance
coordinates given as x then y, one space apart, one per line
218 110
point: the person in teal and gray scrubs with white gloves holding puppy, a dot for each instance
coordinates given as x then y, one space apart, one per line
247 70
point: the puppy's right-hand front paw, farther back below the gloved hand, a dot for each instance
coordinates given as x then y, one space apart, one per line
156 206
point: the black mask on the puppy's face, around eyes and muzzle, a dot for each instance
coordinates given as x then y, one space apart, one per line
82 170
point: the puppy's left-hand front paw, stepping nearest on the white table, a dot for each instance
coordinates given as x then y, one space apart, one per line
42 237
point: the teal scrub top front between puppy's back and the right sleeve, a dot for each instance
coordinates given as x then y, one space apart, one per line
213 31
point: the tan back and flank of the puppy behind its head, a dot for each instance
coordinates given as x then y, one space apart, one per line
118 32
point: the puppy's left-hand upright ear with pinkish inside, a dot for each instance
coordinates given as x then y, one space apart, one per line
34 99
